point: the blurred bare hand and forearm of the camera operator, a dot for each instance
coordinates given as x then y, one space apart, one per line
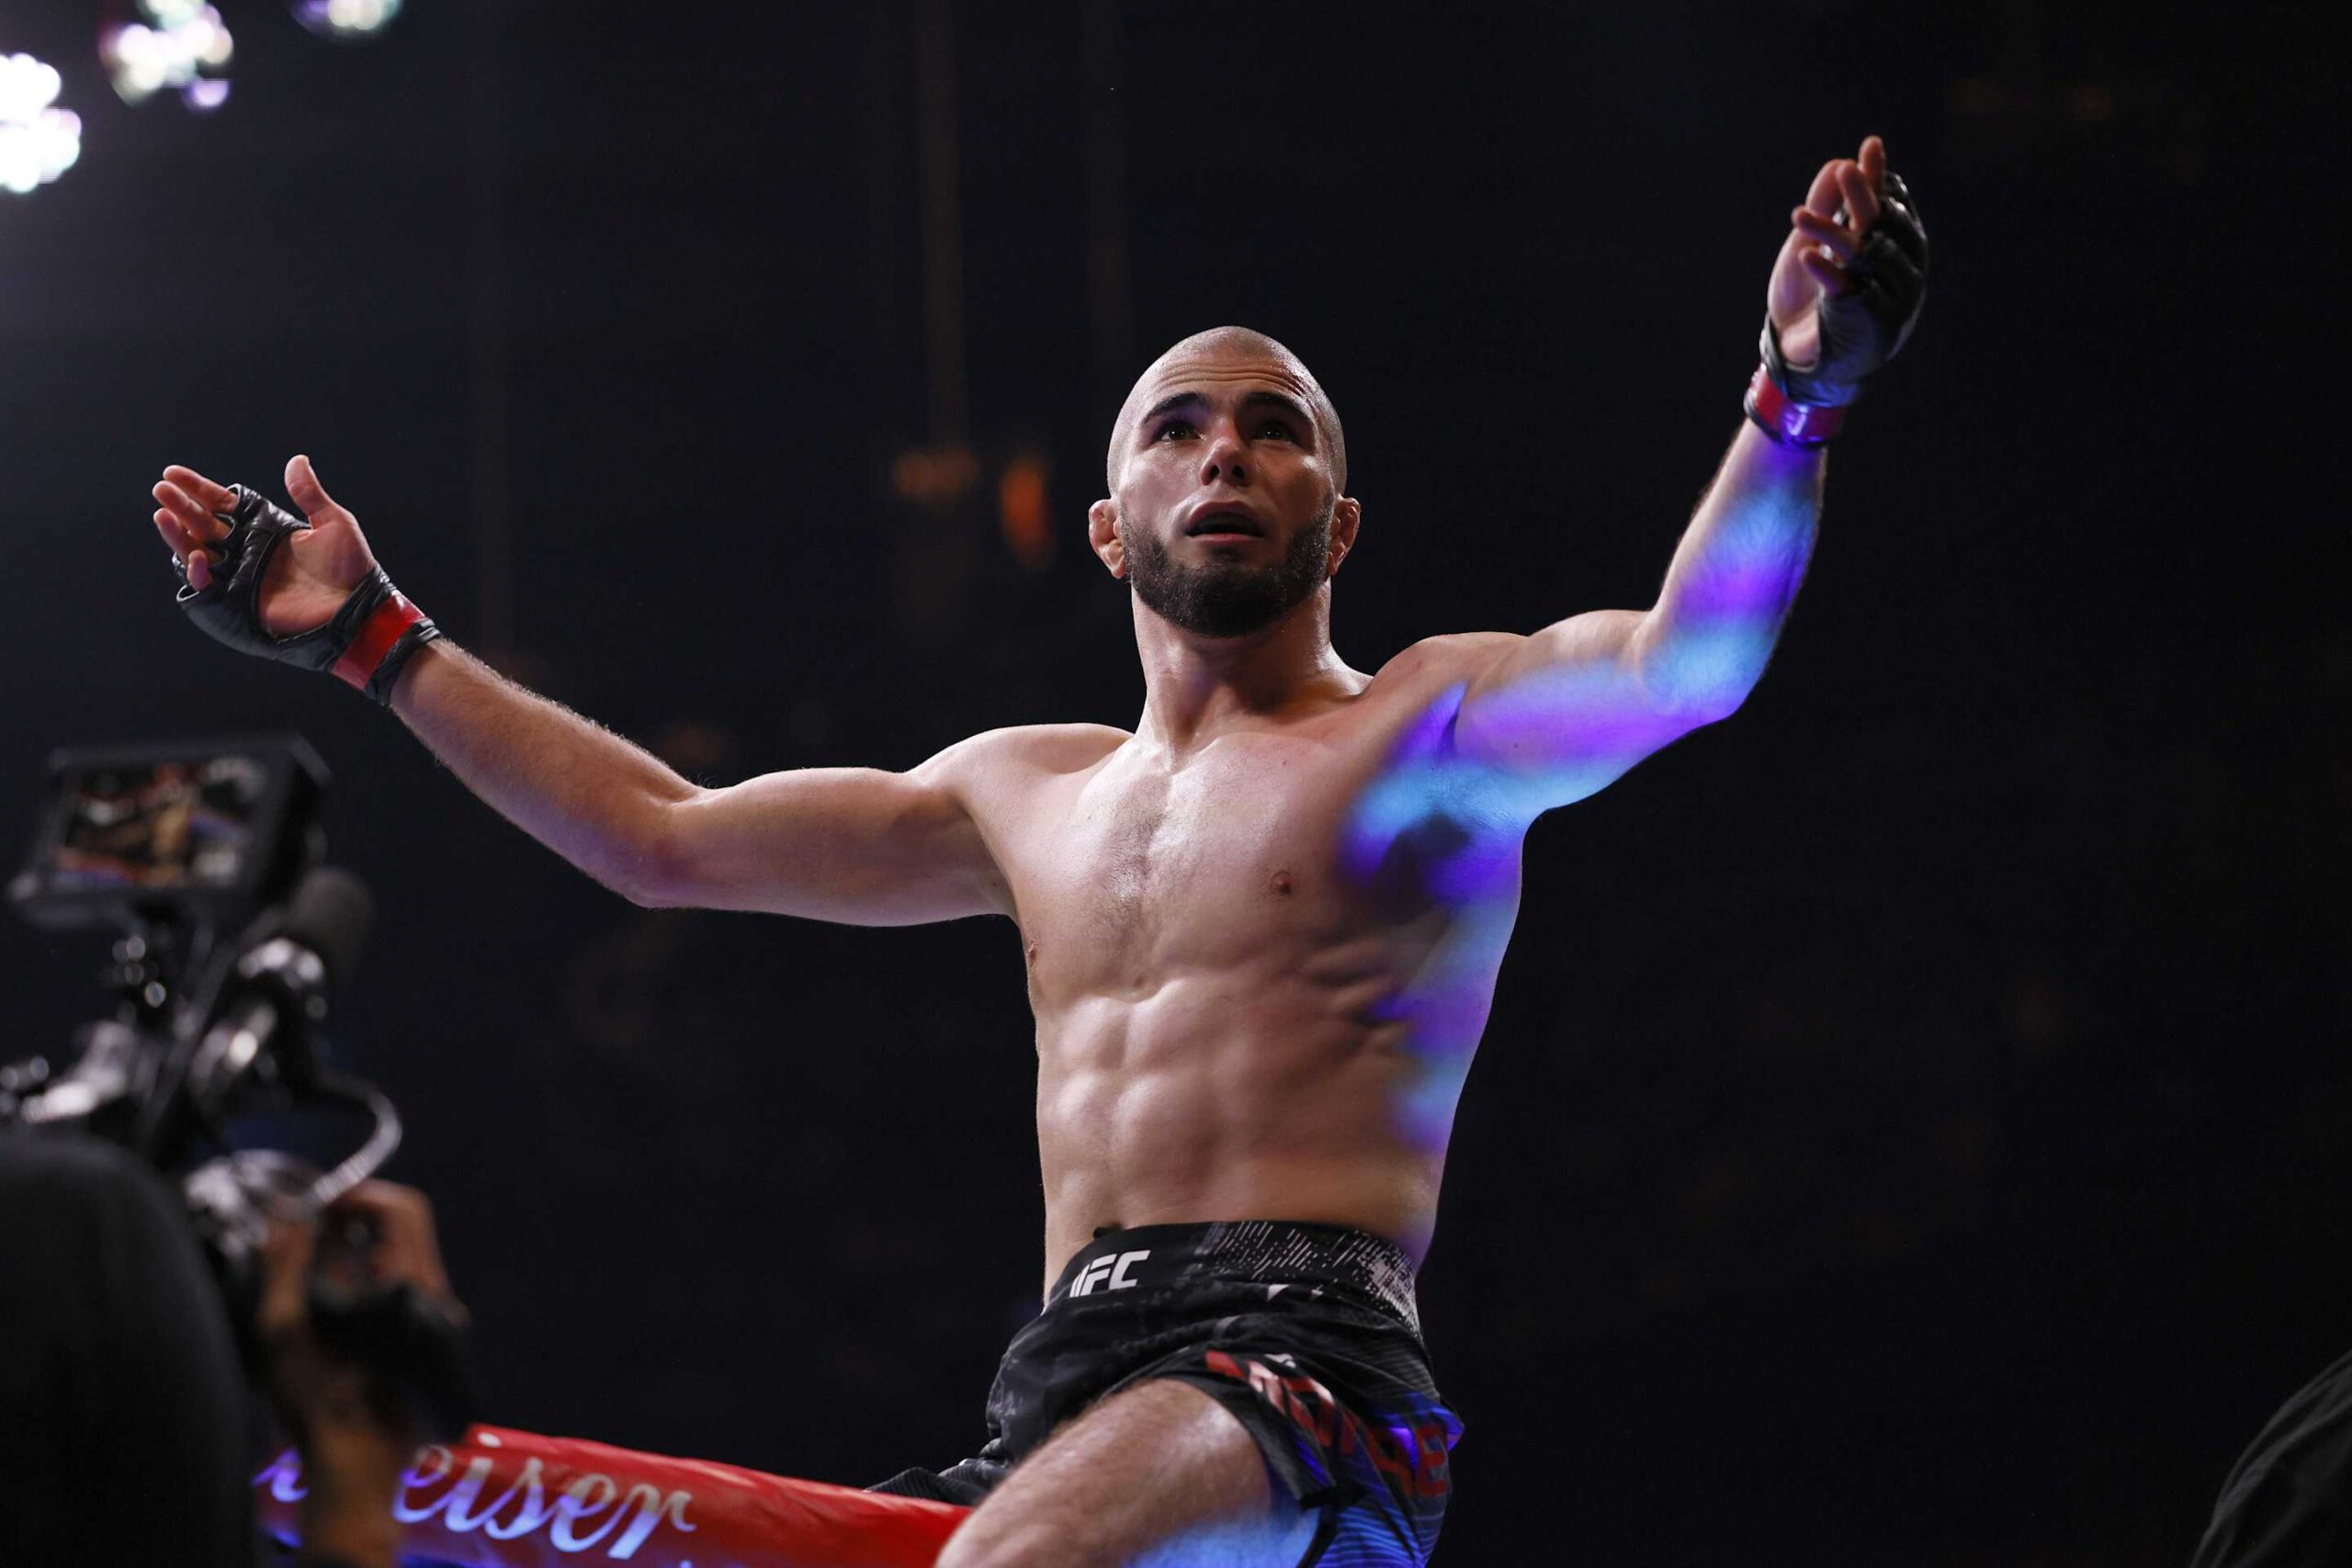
352 1433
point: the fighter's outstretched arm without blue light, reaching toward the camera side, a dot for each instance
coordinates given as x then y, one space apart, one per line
846 845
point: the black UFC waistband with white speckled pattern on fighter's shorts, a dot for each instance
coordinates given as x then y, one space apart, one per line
1255 1252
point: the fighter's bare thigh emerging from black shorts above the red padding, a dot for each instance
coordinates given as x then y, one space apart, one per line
1156 1477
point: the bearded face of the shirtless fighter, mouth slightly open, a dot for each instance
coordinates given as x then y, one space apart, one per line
1227 495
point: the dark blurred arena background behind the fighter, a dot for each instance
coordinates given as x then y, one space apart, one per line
1916 1123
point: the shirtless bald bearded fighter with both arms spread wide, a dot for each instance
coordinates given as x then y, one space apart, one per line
1262 930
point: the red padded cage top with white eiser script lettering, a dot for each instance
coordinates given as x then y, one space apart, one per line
521 1501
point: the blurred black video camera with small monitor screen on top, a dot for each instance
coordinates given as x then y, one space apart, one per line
171 847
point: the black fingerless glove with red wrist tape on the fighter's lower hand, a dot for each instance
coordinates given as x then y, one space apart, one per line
366 643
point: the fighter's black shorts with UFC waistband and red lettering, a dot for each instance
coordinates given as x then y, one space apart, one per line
1307 1334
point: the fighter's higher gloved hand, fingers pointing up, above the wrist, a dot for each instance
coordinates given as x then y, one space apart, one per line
1833 257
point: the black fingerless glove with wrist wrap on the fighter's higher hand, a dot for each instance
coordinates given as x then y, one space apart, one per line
1859 330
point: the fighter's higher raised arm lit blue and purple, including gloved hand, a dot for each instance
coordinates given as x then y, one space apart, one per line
1582 702
